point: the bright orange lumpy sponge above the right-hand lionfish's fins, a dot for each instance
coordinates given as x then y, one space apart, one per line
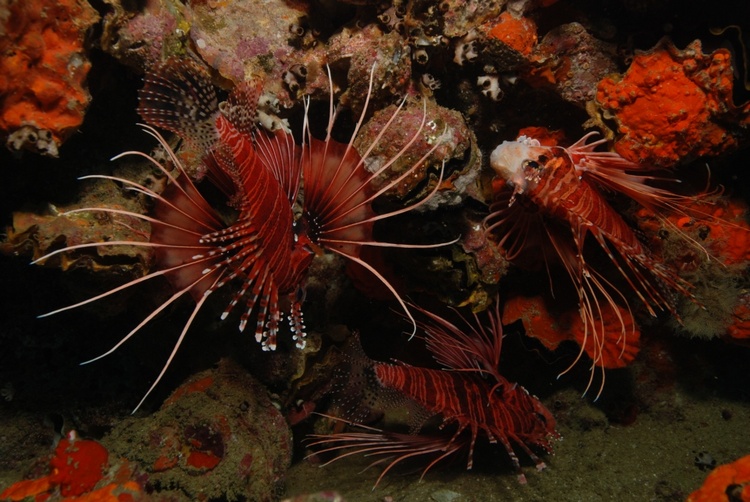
672 105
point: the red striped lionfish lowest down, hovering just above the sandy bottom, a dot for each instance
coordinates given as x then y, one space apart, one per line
469 392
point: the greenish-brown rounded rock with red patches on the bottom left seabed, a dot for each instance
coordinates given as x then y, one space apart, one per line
217 435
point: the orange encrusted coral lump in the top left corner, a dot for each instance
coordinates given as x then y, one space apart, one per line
43 69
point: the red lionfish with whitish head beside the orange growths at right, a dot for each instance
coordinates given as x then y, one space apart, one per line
551 187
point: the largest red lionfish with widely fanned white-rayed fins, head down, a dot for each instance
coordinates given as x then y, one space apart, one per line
265 252
